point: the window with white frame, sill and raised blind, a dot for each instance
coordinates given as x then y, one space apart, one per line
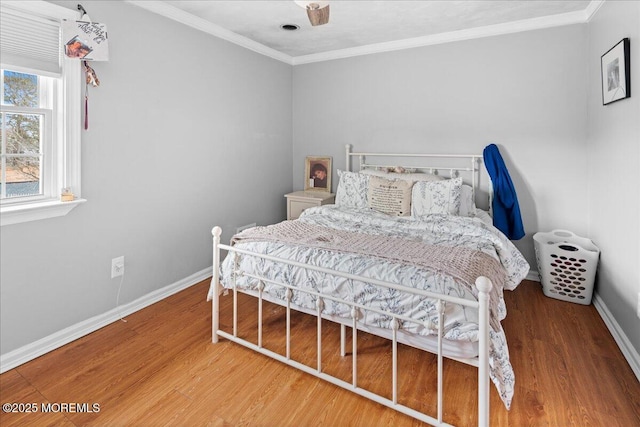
40 109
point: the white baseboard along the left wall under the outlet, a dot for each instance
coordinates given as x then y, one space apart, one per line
58 339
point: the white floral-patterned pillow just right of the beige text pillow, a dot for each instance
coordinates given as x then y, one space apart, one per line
437 197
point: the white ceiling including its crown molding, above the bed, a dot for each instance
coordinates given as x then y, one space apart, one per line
360 26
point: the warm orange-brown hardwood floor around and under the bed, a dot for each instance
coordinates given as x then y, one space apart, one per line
160 368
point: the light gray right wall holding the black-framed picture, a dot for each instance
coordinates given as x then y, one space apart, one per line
614 169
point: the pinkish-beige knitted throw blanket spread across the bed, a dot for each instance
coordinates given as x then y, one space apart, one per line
459 262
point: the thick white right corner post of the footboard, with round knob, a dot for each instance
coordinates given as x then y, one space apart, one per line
484 286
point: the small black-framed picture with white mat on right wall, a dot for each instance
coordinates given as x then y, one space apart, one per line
616 73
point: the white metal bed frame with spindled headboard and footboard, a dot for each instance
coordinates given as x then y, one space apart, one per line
483 284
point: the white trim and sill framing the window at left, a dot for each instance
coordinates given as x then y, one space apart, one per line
66 129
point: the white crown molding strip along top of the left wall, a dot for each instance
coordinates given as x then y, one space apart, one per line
171 12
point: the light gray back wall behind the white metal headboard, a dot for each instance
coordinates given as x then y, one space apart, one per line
525 92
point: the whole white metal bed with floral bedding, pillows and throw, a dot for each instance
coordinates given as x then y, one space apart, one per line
432 280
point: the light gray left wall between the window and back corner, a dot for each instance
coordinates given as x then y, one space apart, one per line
186 132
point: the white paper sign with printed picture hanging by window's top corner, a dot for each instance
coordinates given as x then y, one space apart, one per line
85 40
